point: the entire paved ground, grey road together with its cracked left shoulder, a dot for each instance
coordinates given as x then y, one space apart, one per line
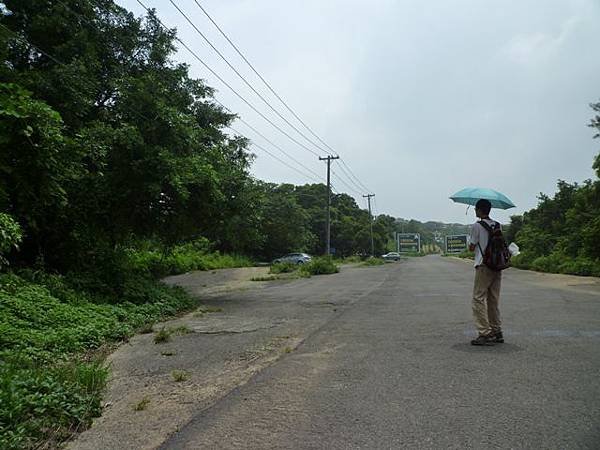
373 357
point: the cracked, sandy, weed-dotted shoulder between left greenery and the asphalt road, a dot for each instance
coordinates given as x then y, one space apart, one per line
250 326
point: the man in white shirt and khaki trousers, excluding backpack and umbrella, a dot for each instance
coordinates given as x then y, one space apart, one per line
486 289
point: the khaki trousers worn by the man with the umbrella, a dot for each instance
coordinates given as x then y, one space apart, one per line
486 296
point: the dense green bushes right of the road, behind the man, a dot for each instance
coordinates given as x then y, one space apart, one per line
562 234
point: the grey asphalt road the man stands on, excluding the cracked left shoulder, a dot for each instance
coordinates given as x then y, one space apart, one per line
390 366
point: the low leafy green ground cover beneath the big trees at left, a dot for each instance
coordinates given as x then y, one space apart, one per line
50 386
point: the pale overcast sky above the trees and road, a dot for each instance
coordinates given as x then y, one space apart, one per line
419 98
